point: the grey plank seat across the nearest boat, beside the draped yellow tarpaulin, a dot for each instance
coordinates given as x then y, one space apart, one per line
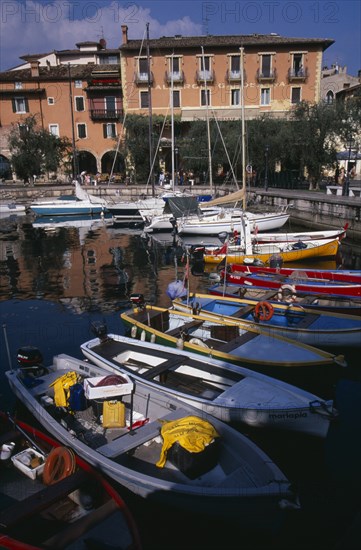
134 438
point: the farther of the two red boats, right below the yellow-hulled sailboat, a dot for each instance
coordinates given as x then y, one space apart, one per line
297 274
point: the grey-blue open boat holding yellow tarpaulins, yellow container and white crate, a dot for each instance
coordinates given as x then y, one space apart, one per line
227 474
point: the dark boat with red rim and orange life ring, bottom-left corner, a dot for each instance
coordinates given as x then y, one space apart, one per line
51 498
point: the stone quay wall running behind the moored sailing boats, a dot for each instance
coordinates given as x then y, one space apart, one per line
312 209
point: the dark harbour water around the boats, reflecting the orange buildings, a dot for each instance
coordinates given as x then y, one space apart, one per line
56 280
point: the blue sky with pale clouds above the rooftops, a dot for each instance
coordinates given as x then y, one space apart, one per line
39 26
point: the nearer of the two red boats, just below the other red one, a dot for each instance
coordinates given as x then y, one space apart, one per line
293 285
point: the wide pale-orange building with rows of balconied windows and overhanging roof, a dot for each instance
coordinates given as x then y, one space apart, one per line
206 72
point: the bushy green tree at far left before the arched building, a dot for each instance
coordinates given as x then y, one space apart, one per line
34 150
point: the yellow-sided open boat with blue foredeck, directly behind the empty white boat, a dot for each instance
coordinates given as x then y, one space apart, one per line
243 345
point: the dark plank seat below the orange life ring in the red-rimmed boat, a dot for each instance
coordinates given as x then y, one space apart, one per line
41 500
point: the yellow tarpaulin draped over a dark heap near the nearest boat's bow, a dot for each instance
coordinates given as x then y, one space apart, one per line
191 432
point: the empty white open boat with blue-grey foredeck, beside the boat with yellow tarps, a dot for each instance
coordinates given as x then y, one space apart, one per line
229 392
